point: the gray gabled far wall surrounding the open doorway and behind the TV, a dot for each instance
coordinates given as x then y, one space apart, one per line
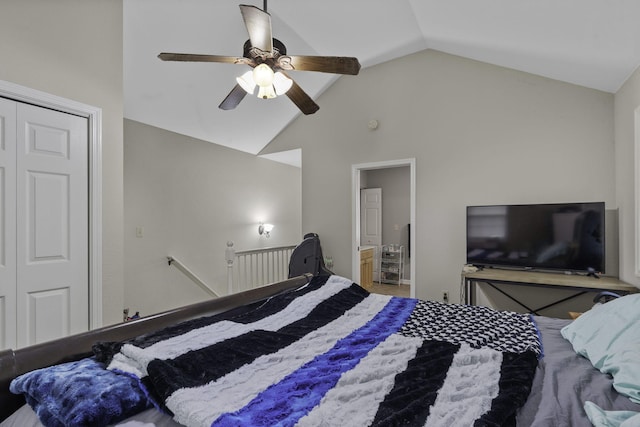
480 134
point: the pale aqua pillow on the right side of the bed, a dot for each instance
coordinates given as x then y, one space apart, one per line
609 336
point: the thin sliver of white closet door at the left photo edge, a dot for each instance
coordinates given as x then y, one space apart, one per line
7 223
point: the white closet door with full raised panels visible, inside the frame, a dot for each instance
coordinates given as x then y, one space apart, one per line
52 224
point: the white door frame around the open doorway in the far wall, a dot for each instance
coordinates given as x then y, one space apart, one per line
355 213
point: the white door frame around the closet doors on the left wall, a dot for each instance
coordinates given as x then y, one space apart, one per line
94 118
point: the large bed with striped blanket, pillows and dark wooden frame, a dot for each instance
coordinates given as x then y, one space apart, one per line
321 350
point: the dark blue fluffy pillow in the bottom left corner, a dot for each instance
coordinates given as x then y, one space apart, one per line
81 393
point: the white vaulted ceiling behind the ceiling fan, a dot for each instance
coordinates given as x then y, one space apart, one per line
593 43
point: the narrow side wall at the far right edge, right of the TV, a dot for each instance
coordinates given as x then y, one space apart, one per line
627 100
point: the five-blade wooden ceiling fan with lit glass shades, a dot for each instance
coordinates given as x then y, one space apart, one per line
269 60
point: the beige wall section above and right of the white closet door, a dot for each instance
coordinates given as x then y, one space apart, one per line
73 49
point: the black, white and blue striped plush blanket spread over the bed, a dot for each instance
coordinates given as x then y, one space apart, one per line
331 354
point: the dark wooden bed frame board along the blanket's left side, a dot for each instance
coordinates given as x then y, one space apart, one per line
75 347
